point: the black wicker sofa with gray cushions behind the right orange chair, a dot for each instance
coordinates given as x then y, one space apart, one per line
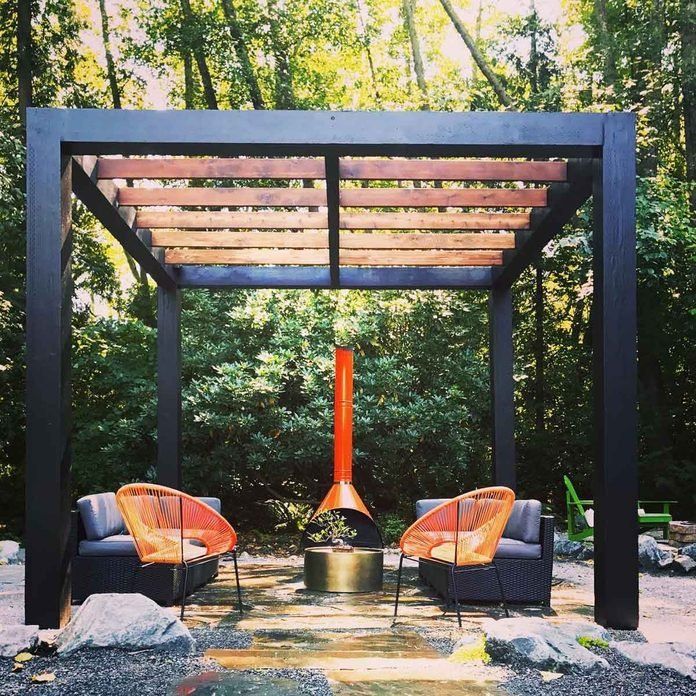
524 559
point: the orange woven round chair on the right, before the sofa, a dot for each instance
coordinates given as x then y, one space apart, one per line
461 533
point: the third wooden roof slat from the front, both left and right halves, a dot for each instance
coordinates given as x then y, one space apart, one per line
349 221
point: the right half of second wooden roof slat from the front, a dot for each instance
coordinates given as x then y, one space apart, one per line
435 197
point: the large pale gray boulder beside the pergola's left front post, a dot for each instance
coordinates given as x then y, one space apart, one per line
130 621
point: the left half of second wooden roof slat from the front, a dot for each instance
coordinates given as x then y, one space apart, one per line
145 196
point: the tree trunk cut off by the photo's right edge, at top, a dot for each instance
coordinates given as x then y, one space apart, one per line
687 30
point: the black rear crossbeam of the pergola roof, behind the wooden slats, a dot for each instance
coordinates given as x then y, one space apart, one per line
319 277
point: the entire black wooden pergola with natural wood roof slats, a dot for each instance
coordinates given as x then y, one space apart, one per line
325 166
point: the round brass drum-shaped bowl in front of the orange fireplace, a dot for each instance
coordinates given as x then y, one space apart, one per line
329 570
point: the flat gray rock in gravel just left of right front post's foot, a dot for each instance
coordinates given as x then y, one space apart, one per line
541 644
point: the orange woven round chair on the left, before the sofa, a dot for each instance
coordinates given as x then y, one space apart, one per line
174 528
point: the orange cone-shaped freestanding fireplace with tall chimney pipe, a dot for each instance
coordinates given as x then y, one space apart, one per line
342 495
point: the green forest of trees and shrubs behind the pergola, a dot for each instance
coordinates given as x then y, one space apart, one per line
258 364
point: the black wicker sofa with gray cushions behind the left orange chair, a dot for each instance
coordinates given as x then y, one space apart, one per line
104 558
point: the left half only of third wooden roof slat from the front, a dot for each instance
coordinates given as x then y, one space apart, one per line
230 220
